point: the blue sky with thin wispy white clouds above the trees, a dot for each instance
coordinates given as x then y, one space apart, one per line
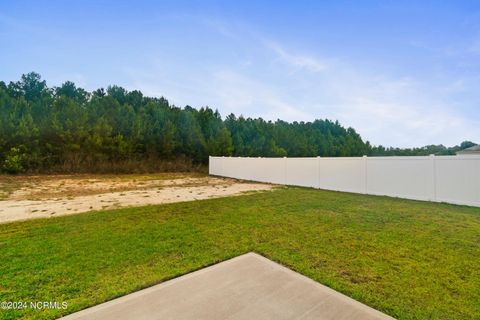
401 73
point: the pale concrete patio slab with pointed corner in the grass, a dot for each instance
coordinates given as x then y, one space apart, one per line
246 287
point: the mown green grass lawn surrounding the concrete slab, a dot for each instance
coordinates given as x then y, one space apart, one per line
409 259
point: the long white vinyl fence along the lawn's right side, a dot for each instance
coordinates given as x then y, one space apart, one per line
452 179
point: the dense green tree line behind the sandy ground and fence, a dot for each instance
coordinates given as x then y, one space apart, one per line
67 129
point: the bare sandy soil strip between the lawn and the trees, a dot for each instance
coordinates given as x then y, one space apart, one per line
40 197
